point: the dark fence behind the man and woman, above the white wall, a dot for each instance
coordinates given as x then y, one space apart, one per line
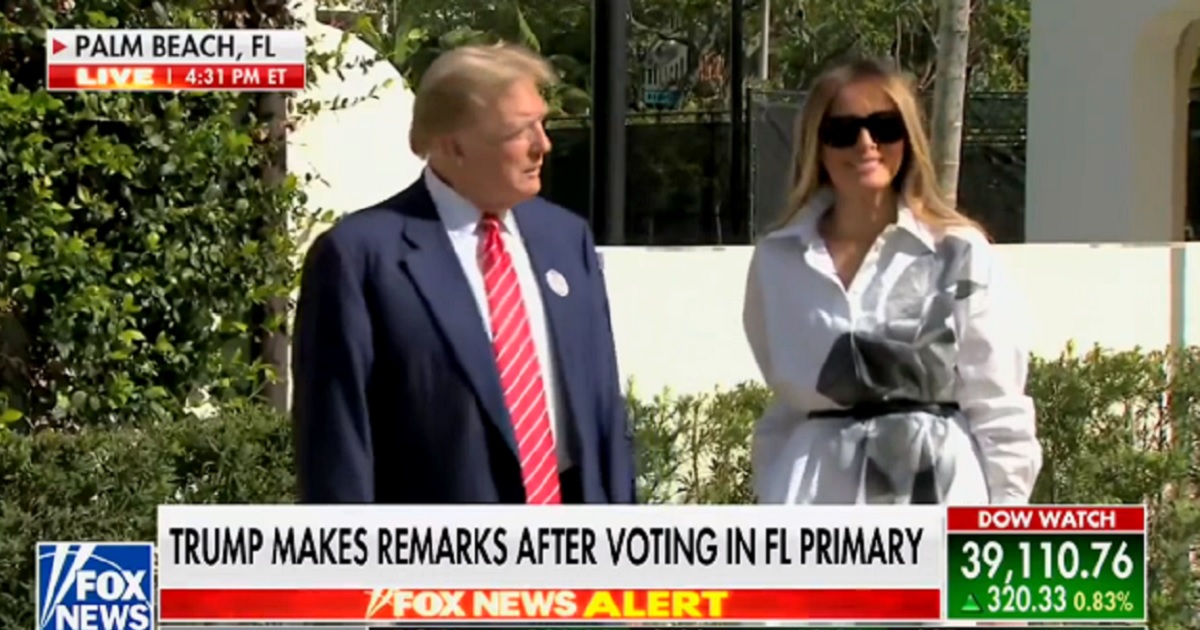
679 171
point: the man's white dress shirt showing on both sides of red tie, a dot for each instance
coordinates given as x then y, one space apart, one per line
461 221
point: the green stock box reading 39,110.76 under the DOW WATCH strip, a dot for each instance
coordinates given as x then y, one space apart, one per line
1053 578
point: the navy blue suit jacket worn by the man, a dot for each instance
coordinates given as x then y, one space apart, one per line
397 393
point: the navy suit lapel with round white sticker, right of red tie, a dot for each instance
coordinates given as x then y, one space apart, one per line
567 315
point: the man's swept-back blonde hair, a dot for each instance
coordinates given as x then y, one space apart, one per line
466 80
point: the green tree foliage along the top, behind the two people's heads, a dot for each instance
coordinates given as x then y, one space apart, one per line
806 37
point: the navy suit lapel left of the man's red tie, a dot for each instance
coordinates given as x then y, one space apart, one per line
433 265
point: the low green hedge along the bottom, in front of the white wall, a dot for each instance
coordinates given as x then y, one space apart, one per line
1117 428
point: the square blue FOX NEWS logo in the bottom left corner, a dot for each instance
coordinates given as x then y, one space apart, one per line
95 586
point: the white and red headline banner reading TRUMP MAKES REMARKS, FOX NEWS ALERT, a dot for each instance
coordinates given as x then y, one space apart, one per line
447 565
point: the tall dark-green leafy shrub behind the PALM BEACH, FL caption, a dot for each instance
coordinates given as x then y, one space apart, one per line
136 242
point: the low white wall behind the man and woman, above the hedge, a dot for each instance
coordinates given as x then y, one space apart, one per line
677 314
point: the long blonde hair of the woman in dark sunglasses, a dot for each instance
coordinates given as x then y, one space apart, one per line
915 182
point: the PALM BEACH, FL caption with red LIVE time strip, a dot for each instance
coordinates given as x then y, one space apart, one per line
176 61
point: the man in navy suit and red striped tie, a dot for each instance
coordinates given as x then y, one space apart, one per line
453 344
